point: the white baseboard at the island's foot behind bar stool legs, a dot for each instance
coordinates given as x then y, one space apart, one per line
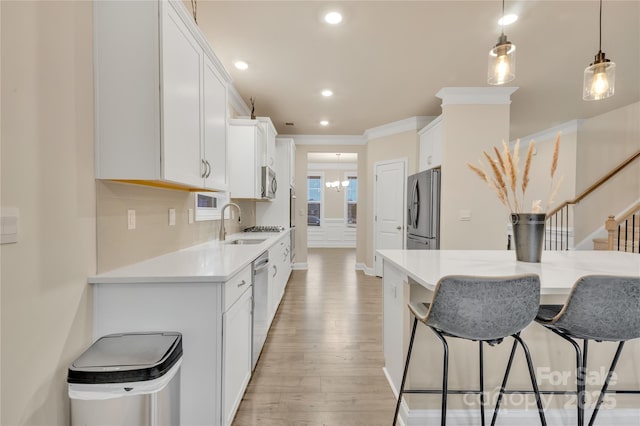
559 417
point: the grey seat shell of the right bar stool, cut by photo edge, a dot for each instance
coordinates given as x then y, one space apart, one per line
602 307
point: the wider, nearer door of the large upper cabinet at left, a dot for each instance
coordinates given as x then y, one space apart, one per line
181 87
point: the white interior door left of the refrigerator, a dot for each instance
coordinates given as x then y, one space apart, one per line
389 201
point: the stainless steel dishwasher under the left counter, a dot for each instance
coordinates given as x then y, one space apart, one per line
260 306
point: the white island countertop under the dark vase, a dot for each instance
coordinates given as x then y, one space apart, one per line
558 270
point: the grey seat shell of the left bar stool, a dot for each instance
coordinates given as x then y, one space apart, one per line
484 308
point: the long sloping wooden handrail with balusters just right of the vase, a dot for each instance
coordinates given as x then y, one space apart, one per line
557 226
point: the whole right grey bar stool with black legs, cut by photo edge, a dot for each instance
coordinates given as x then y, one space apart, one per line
600 308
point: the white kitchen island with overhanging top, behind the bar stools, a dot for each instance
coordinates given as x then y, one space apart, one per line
413 275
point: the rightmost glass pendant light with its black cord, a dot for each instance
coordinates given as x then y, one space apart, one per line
600 76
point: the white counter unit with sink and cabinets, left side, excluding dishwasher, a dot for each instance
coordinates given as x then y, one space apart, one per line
205 293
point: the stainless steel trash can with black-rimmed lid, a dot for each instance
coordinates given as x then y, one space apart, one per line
127 379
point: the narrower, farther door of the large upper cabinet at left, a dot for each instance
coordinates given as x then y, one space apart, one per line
214 146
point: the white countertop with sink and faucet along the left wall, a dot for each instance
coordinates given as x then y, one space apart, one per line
214 261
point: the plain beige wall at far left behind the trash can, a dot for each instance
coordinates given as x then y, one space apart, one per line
46 172
